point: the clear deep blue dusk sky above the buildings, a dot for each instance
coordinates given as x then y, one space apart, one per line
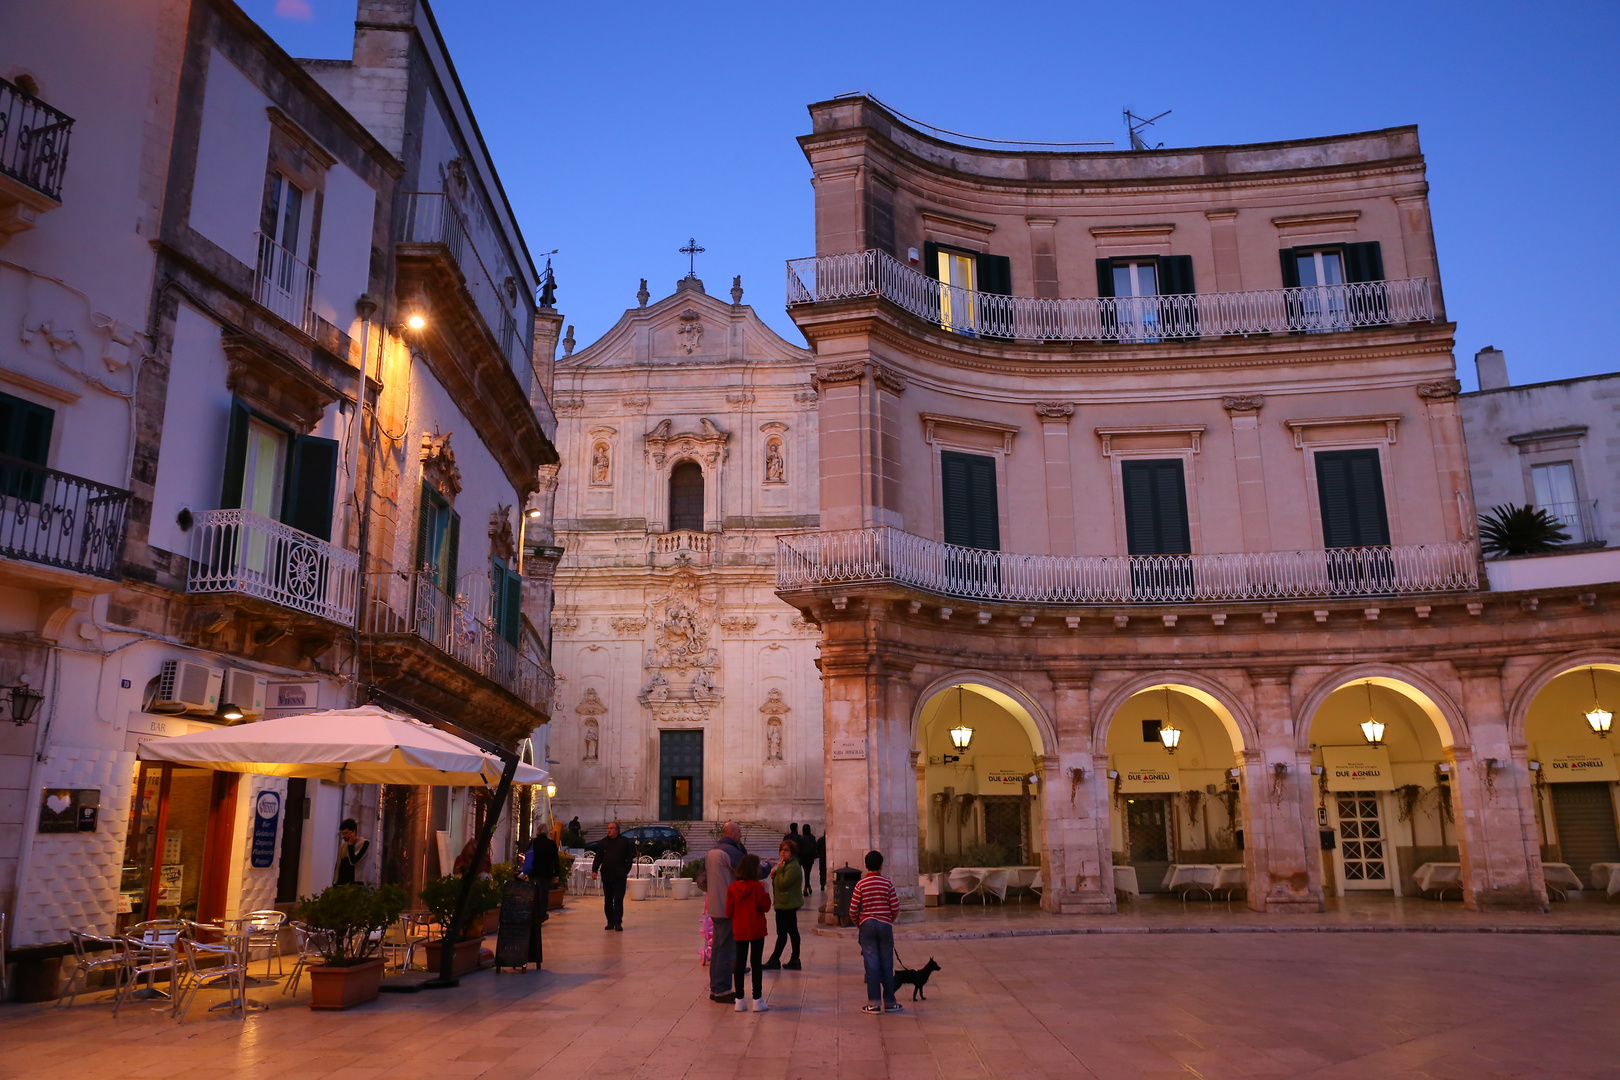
620 130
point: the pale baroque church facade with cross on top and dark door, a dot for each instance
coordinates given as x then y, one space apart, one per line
688 689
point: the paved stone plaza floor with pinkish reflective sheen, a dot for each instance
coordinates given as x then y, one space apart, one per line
1120 1006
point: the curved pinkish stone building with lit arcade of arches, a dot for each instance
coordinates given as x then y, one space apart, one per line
1143 475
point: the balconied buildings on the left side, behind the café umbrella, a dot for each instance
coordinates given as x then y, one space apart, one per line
273 404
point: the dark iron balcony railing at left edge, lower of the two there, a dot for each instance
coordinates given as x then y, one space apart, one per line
61 521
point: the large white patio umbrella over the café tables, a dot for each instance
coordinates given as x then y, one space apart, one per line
365 746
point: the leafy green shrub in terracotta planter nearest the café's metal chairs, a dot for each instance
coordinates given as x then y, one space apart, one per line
349 919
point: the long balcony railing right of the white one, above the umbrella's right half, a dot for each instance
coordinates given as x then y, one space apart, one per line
463 627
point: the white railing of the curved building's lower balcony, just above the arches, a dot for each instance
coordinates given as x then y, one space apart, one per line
890 556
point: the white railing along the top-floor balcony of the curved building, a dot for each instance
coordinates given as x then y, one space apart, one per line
1313 310
